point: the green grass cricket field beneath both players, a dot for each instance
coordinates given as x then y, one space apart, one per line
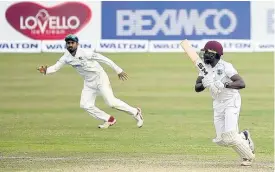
43 128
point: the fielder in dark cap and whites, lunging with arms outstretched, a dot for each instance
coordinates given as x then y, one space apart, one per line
96 81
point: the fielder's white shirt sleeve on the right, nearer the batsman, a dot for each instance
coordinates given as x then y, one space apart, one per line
102 59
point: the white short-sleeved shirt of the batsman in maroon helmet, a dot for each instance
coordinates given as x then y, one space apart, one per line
223 71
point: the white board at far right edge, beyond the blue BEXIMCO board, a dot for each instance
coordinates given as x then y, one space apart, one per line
262 21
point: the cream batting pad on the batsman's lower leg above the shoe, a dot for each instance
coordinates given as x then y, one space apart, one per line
234 140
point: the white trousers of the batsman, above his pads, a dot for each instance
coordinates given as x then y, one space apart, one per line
226 118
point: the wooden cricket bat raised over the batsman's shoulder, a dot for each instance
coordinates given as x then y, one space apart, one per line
192 54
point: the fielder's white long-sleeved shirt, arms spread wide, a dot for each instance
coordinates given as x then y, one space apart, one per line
85 63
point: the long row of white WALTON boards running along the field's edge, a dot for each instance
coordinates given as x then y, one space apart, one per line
131 46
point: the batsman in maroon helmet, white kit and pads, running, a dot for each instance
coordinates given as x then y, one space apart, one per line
224 83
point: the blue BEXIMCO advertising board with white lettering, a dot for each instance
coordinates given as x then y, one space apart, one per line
175 20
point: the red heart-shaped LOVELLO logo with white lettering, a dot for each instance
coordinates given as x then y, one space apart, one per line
48 23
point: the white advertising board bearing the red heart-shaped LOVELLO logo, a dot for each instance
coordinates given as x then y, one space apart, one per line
50 20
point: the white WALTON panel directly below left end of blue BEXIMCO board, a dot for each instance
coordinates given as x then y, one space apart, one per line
122 46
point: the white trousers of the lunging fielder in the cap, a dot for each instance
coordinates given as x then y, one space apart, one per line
101 86
